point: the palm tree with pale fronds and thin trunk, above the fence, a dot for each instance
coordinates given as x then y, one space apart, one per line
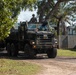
65 11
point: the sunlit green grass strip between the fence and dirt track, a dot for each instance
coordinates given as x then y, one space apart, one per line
68 53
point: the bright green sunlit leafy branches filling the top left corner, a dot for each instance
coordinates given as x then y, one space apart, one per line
9 10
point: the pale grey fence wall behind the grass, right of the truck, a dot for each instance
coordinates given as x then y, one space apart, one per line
67 41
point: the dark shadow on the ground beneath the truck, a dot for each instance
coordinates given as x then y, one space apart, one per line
22 57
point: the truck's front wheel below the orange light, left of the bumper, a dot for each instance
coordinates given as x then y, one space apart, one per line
29 52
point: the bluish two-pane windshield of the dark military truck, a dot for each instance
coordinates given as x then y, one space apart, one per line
37 26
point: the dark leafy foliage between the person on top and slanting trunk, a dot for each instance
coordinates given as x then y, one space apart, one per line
44 6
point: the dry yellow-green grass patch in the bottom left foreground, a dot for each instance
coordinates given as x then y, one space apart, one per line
14 67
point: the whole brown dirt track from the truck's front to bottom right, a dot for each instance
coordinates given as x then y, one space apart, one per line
56 66
